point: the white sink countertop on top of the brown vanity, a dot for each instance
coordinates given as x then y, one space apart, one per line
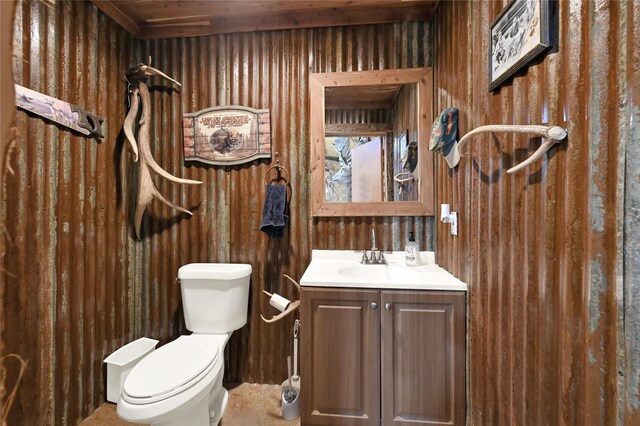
342 268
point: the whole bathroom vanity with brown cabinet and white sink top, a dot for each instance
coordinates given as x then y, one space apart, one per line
381 344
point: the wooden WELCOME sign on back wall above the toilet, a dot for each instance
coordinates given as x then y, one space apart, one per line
227 135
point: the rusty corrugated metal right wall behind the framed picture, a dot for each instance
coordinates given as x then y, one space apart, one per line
542 250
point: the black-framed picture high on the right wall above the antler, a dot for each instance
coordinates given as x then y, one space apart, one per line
518 34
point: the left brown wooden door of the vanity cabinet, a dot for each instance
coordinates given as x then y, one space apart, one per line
340 353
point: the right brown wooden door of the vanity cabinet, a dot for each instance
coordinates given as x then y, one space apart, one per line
423 358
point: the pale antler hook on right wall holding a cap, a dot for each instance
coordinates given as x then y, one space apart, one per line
551 134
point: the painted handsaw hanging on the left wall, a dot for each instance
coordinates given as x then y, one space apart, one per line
61 112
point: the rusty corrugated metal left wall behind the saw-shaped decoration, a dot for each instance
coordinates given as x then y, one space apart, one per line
65 273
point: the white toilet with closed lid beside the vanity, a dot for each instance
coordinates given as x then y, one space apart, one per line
181 383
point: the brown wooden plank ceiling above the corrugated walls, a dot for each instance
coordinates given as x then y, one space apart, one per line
153 19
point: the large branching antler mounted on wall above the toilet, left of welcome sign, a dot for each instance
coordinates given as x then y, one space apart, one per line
136 78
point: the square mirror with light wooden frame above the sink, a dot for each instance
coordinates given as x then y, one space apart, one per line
362 127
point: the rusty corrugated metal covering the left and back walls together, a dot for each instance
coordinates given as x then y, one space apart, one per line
76 283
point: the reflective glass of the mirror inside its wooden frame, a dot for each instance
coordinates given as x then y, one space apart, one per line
378 166
